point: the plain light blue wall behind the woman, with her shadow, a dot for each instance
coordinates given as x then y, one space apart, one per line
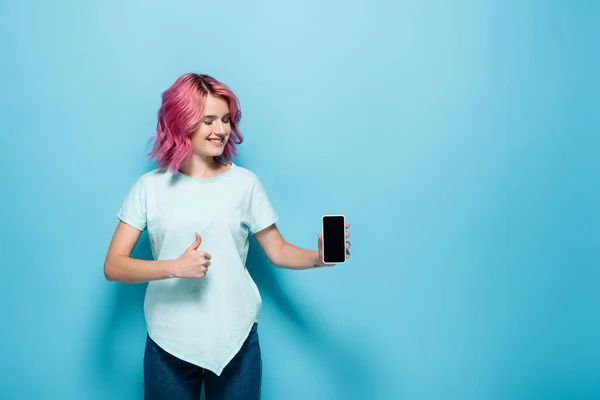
459 138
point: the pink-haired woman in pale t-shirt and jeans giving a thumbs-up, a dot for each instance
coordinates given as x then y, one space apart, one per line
201 305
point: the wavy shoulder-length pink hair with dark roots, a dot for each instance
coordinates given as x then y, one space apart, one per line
180 116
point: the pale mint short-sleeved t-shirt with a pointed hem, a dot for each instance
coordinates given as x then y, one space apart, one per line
202 321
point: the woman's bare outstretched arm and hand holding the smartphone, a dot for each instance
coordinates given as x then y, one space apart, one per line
285 255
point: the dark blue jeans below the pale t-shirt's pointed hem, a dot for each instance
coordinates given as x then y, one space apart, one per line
168 377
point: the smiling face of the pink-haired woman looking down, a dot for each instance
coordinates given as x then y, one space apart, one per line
214 130
